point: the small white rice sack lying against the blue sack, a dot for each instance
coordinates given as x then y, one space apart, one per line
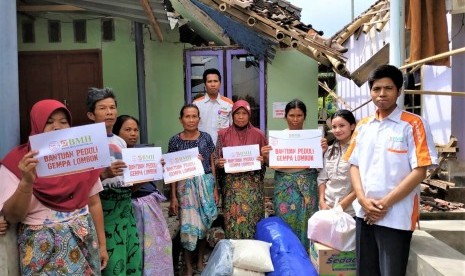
252 255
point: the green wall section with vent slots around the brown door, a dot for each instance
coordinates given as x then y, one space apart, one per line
118 56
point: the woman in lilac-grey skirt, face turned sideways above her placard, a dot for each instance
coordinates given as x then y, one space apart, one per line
154 236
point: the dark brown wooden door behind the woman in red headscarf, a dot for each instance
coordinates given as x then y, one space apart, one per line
65 76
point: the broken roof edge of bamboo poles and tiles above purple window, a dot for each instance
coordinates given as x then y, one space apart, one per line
279 21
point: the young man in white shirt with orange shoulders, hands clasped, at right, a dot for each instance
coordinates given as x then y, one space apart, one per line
389 154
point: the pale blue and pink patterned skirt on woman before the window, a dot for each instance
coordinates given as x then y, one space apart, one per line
198 208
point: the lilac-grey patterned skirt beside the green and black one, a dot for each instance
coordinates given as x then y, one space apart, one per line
154 236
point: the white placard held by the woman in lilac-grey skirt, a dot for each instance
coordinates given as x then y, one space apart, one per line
143 164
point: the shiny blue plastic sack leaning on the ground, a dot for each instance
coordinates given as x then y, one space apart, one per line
288 255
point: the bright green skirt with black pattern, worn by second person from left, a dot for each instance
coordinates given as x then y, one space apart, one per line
121 233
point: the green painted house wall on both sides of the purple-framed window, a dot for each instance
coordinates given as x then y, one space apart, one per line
291 74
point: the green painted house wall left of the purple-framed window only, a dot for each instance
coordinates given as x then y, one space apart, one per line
163 63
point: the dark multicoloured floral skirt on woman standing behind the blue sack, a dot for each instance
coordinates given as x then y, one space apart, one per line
295 200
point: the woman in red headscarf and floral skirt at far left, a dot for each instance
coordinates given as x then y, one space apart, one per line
56 232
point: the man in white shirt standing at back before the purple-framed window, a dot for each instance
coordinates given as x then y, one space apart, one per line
215 110
